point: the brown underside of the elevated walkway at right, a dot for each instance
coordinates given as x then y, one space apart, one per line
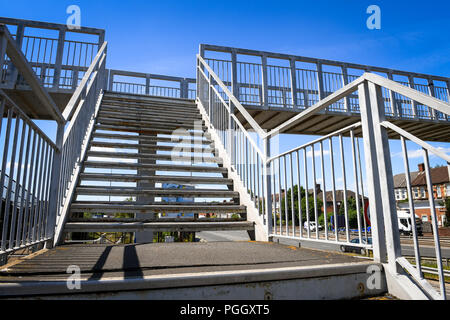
324 123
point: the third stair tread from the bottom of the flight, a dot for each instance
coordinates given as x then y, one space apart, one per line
157 192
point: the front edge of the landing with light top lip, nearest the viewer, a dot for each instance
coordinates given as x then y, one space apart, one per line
334 281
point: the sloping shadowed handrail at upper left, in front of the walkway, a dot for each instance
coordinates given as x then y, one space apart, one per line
21 63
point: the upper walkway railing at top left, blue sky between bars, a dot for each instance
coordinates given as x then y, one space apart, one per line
58 61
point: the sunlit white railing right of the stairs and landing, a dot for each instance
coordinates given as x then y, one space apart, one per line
288 177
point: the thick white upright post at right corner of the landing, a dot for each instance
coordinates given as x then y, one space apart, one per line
386 241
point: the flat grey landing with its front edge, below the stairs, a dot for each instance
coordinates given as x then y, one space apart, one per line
267 270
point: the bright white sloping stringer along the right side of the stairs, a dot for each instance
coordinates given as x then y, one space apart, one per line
261 230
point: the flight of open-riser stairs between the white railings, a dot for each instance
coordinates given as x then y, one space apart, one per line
145 153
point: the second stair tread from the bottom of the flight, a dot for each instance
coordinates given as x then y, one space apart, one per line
126 207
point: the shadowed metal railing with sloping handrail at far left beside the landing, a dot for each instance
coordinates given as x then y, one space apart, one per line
28 165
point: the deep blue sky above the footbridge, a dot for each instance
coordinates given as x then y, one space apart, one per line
163 36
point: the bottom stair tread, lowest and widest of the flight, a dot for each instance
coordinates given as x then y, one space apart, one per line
157 226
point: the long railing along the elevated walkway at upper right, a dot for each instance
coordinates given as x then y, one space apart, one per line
296 83
